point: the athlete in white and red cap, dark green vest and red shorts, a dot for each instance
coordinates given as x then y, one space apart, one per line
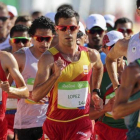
106 128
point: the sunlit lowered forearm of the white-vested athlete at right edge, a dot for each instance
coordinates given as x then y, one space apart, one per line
112 71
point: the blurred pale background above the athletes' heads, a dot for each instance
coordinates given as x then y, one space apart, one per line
118 8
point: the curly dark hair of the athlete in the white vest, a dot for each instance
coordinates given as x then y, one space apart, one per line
41 23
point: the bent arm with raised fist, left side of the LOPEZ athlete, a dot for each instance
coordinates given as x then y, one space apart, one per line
44 81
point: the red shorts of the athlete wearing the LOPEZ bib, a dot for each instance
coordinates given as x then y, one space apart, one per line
80 129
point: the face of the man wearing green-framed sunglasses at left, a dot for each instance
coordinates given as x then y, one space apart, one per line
17 46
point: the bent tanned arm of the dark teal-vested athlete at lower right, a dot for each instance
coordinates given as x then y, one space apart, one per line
121 106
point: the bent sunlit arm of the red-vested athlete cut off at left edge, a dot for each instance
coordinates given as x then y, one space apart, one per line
10 64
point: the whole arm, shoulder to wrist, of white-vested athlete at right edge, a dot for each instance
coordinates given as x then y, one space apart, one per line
120 49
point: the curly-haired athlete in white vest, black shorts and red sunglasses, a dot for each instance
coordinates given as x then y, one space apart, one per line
30 116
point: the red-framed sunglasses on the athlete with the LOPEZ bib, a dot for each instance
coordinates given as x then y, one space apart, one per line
64 28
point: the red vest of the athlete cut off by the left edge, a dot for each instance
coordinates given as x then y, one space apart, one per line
3 95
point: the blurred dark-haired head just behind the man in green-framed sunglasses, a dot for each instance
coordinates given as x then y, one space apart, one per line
24 20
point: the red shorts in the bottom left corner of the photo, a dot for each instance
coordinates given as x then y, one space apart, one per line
3 129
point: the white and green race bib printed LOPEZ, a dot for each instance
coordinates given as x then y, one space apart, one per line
72 95
